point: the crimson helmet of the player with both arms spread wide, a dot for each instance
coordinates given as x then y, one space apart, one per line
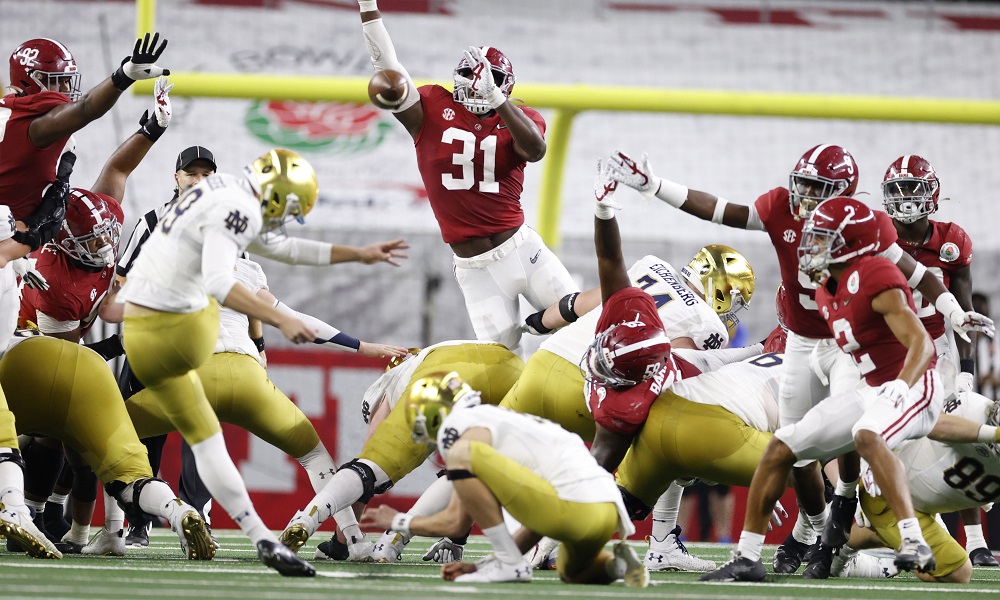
823 172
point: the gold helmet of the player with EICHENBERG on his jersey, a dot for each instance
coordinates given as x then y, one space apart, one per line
725 277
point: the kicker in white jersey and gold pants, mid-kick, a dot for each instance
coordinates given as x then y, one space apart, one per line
172 318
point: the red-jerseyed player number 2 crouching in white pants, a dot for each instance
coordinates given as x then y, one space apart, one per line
867 305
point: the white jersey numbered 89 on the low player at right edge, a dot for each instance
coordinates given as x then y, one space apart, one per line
950 477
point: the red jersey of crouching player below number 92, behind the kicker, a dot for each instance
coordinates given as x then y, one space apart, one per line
74 294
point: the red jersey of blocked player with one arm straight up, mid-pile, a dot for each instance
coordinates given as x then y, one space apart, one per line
624 411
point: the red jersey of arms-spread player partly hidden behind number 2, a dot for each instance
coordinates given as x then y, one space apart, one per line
785 230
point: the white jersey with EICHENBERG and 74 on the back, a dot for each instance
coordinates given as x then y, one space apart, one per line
683 312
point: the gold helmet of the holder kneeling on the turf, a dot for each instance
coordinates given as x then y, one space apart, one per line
431 399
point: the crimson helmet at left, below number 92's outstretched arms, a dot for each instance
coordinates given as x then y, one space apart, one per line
92 228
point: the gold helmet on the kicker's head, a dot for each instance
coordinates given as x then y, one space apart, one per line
286 185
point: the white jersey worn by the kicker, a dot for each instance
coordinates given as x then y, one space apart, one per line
167 275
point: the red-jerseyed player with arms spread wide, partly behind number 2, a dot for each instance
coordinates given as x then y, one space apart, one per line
824 171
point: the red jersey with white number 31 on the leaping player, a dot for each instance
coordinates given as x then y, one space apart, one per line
469 167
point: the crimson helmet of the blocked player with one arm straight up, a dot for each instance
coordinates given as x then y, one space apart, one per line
627 354
